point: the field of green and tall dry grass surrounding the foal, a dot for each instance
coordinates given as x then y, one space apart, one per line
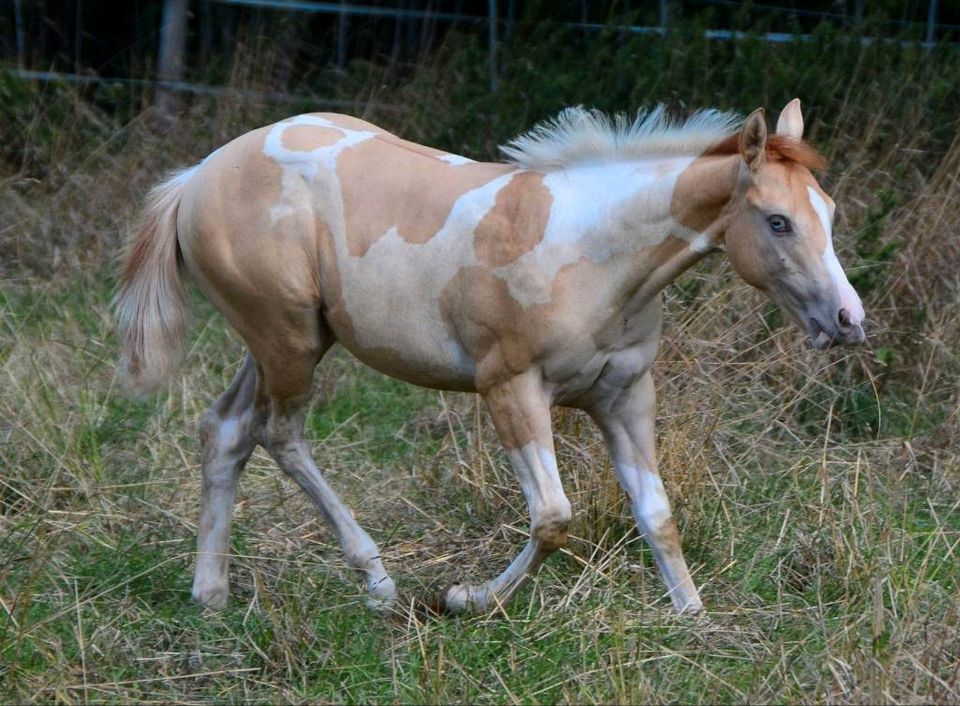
818 494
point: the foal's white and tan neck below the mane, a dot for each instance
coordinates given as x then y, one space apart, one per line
653 220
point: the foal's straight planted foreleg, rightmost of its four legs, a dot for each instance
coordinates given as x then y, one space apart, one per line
627 422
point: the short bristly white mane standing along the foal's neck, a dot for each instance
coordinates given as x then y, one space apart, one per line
578 135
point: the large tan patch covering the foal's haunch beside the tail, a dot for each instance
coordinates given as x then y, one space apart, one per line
260 274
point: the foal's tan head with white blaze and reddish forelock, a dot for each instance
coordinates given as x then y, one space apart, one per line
779 237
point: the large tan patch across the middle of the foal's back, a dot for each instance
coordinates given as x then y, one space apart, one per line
384 188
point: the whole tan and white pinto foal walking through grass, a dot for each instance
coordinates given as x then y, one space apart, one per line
533 282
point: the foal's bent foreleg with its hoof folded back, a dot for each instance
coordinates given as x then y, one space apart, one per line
521 415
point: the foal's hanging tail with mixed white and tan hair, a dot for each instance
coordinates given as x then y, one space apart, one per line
150 303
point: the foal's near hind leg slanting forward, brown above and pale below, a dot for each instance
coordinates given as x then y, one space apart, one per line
288 384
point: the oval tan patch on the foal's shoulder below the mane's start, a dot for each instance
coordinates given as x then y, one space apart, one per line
516 222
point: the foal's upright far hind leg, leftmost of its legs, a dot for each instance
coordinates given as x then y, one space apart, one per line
228 435
